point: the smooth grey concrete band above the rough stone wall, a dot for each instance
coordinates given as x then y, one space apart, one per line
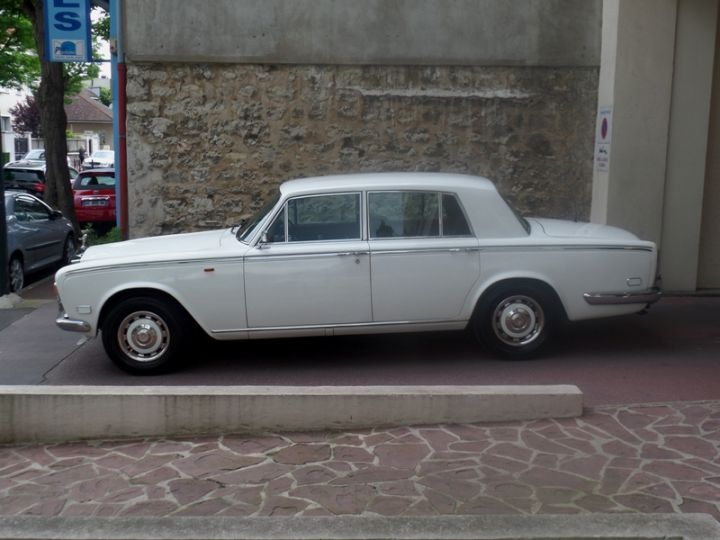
419 32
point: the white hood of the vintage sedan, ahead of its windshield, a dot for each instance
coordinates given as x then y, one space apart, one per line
157 247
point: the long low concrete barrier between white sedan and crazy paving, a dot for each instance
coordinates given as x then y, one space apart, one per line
64 413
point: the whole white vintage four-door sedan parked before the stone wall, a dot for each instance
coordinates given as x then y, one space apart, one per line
366 253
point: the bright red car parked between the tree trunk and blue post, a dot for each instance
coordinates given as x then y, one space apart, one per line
94 193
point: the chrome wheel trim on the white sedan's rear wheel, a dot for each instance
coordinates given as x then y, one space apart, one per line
518 321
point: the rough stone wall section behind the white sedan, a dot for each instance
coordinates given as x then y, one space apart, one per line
207 143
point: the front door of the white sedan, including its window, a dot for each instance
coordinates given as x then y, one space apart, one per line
312 267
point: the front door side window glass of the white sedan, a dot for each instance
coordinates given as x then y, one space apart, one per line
318 217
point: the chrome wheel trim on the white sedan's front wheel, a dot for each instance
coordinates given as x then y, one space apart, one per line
143 336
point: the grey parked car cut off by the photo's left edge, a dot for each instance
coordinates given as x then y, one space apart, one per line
37 237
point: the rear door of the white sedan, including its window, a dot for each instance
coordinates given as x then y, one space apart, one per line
424 256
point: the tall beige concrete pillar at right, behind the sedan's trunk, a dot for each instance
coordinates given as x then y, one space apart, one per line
655 81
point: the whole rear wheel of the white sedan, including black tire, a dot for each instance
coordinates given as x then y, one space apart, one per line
516 321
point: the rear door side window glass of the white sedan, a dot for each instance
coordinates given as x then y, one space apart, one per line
415 214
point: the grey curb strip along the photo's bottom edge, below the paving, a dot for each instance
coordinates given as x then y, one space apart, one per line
575 527
